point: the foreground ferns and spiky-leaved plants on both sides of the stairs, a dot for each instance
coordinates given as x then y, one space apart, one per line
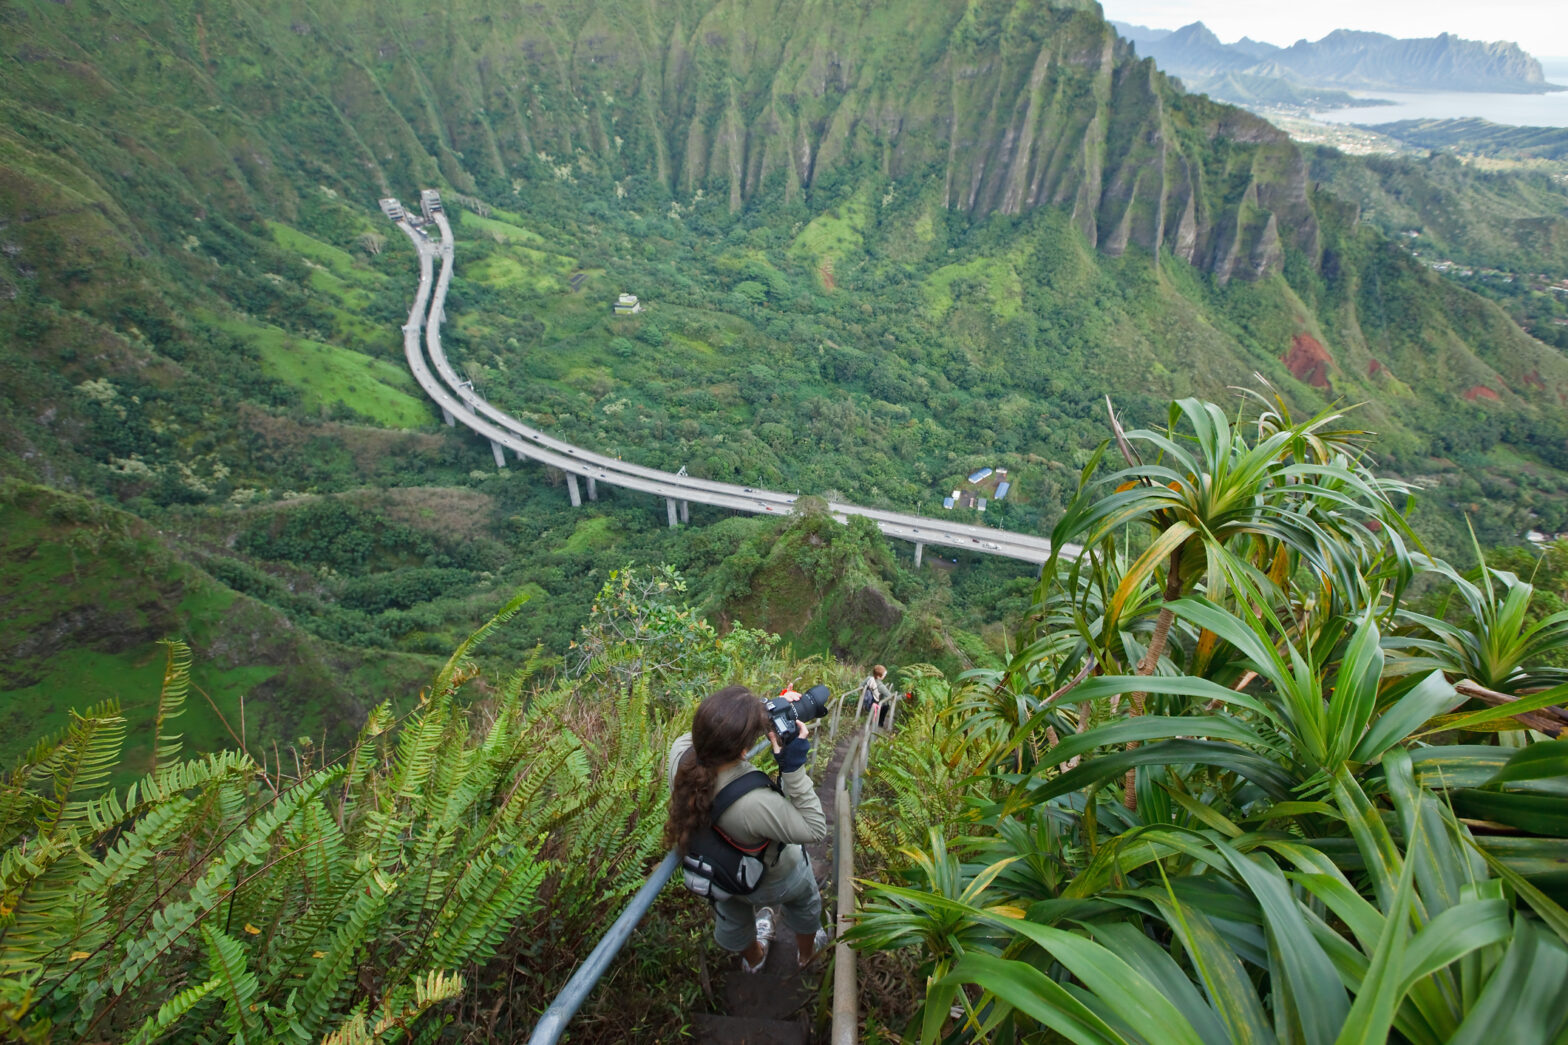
1240 784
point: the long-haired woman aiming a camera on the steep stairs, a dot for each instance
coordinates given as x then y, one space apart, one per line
769 821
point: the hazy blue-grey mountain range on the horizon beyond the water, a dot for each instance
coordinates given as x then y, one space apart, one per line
1319 75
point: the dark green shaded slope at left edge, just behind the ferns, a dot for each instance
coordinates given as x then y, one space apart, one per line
93 591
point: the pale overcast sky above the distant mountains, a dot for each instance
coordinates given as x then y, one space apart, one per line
1537 26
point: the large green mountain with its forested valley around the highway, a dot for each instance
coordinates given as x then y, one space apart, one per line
882 246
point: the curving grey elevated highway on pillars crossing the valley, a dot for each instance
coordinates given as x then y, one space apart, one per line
460 404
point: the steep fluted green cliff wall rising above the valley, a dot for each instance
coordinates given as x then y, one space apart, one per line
1015 106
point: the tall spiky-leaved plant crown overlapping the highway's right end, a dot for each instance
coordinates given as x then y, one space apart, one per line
1224 512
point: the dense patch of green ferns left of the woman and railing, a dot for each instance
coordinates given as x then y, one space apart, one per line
343 906
